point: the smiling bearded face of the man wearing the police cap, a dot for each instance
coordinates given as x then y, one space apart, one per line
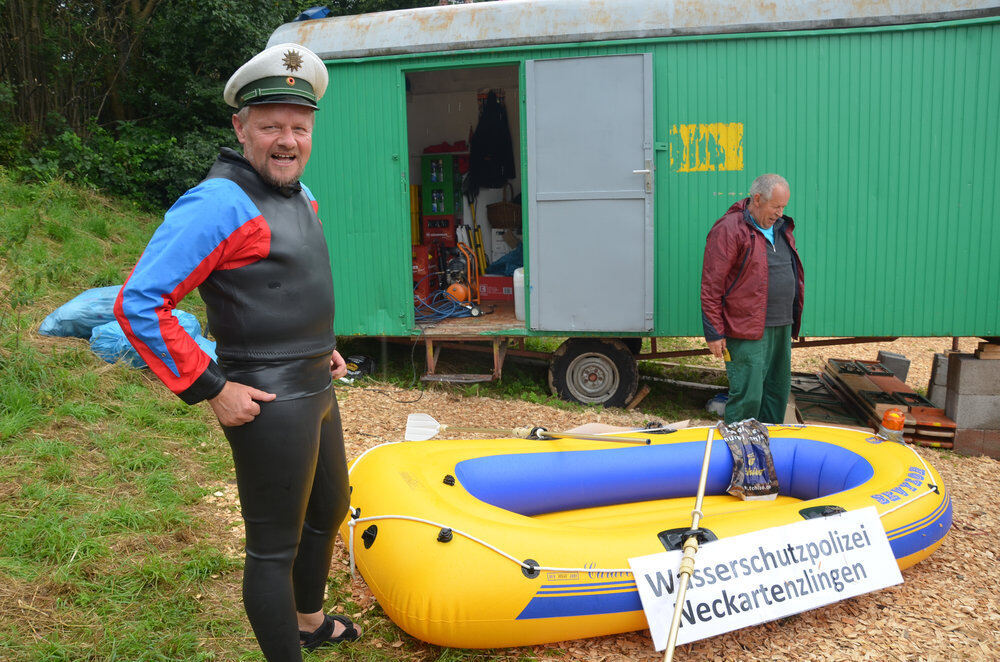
277 140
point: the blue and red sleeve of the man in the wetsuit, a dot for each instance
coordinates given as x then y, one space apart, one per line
213 226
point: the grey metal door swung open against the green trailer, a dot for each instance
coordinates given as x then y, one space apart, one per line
590 182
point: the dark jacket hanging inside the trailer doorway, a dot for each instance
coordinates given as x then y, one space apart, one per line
491 158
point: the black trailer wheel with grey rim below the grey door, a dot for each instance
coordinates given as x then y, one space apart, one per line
594 372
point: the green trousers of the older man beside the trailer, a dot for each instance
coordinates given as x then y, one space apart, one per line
760 376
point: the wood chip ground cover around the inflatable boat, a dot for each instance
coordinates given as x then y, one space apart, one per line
948 607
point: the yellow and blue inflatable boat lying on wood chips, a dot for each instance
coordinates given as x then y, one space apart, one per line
510 542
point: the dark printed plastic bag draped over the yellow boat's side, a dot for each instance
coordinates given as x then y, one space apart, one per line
754 477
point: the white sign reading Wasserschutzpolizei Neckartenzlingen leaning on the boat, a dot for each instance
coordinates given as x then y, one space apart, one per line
767 574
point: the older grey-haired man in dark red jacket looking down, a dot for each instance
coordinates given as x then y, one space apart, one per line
752 290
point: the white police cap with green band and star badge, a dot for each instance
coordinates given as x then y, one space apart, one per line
285 73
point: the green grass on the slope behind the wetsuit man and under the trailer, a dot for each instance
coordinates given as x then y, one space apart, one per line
108 551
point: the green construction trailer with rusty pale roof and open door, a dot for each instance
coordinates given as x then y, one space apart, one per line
635 125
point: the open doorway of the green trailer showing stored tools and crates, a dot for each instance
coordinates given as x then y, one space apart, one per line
466 226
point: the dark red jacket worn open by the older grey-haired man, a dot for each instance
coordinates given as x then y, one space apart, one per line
734 277
